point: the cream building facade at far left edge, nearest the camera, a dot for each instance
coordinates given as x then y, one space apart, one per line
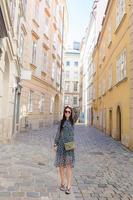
9 69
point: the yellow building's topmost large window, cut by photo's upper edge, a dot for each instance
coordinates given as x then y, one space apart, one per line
120 11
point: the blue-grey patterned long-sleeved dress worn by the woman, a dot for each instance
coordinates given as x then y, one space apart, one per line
63 157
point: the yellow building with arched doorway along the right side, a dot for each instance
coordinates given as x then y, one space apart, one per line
112 80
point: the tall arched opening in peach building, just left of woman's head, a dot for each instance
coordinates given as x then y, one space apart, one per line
56 108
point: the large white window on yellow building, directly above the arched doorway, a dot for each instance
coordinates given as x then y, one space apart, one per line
121 66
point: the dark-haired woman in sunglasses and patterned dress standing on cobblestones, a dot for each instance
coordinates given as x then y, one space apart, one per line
65 158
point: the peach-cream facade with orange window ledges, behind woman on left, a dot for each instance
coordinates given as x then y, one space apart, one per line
41 37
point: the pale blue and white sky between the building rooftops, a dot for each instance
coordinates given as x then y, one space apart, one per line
79 12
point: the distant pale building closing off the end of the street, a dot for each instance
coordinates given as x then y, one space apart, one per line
71 76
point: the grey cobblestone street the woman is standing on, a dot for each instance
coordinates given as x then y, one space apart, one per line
103 170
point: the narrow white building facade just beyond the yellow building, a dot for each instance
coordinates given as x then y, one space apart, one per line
88 69
